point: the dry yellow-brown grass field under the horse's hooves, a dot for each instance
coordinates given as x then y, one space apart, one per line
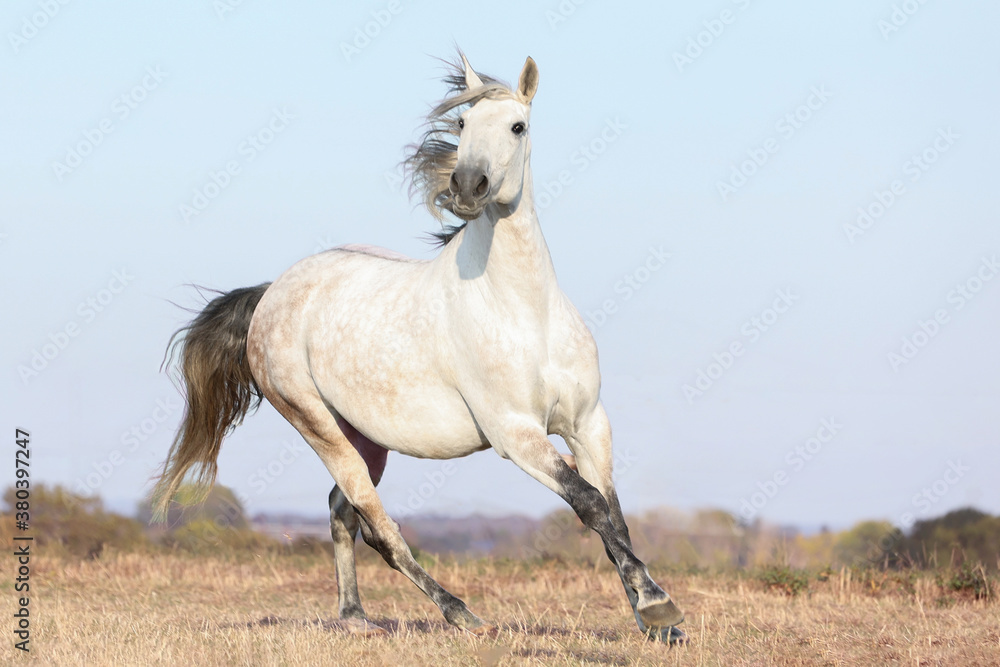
163 609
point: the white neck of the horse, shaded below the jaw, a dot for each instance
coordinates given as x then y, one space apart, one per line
506 247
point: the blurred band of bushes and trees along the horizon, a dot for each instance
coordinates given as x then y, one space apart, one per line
77 526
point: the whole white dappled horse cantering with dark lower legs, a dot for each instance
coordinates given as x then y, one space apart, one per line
364 351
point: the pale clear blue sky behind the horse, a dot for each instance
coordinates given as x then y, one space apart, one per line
778 218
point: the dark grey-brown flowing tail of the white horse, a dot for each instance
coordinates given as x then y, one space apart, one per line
220 390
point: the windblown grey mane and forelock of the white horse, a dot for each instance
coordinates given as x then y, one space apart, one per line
430 163
